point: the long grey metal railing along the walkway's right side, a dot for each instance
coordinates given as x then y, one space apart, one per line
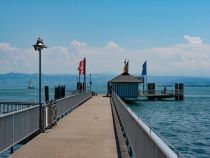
144 142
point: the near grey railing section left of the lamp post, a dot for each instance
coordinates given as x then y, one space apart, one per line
18 125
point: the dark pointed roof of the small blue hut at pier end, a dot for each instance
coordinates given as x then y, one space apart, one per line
126 78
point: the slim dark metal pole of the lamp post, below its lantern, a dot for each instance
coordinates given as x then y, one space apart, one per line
40 104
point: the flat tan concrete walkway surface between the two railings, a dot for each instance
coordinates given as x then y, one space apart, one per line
85 132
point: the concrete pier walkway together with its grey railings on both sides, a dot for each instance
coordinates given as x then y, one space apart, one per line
81 125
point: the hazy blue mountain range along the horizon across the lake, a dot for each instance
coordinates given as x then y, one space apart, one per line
19 80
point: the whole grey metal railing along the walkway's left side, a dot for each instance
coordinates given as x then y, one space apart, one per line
18 125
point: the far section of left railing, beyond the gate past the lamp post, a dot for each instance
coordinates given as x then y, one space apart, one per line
66 104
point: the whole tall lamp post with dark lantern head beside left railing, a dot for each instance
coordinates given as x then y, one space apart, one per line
38 47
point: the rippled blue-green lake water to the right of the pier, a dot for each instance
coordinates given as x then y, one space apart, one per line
184 124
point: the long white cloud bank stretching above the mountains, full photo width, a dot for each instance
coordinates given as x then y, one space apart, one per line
192 58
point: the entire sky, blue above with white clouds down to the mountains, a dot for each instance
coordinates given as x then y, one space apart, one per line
173 36
